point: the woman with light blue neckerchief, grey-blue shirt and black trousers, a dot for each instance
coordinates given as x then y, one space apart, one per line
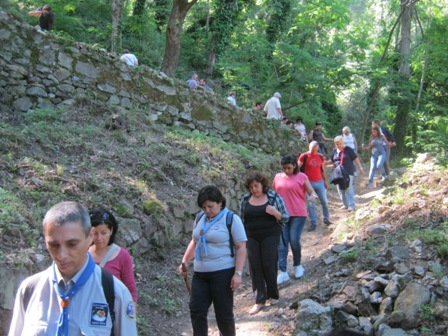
219 253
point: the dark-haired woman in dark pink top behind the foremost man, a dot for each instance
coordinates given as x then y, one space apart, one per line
109 255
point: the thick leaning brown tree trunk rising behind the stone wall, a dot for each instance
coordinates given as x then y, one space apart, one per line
173 35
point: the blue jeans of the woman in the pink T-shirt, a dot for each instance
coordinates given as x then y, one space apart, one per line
291 234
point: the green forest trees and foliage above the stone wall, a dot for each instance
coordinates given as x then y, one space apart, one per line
339 62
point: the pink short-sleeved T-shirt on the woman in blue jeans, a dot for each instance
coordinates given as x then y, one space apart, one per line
292 189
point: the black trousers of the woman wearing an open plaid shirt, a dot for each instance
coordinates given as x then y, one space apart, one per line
263 257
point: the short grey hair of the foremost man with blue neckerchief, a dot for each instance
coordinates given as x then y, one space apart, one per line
68 212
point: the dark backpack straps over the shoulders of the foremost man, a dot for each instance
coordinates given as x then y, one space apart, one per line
107 282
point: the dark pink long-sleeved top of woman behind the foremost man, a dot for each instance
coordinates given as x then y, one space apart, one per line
122 267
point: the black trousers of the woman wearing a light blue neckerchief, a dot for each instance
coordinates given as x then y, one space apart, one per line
208 287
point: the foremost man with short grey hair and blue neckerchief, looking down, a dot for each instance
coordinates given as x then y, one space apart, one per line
70 297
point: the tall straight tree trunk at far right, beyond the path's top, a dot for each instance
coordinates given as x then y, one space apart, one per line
404 72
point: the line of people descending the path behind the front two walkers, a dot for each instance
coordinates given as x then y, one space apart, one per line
272 218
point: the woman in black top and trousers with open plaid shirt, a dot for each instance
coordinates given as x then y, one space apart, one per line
264 214
